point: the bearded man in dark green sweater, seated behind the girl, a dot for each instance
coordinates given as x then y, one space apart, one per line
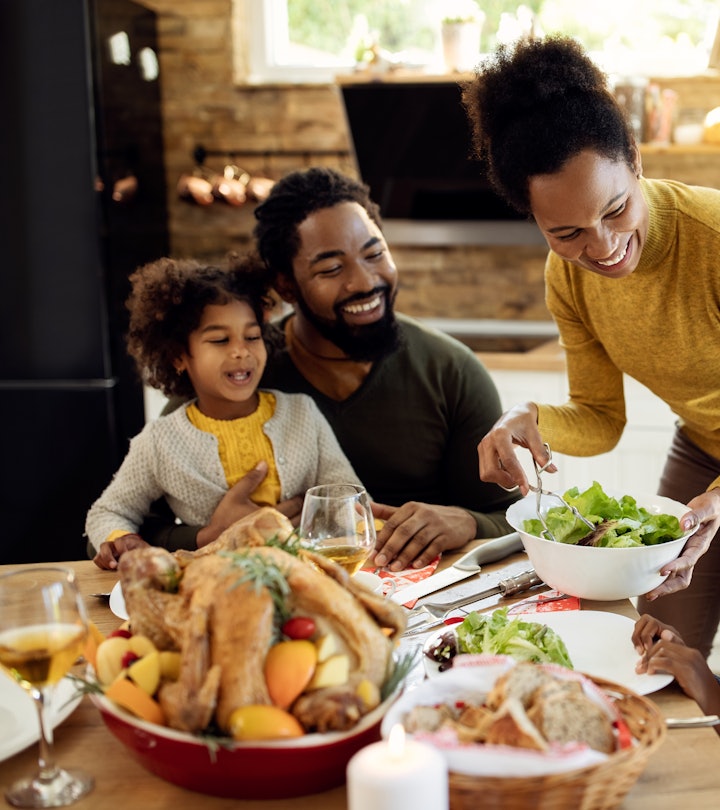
408 405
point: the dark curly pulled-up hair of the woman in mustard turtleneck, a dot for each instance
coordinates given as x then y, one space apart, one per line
535 105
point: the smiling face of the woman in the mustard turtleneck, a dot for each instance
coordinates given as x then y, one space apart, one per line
592 213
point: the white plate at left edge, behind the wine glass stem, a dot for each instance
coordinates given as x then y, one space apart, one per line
18 716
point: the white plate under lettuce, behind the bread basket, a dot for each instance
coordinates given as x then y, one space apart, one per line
599 644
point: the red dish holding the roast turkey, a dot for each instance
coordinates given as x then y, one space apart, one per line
253 770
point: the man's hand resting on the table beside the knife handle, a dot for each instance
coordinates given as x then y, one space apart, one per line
415 533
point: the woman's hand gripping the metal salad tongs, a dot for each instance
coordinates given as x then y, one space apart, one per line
498 462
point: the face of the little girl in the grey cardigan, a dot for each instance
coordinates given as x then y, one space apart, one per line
225 359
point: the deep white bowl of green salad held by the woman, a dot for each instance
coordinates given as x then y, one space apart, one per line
602 574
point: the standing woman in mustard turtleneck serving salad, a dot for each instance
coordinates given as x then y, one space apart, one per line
633 282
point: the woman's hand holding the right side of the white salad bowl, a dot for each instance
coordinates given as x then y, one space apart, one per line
705 513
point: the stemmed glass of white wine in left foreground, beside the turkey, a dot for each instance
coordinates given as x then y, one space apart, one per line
43 628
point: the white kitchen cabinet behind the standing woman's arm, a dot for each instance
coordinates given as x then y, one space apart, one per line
636 462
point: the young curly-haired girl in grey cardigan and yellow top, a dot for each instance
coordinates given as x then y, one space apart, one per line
197 331
